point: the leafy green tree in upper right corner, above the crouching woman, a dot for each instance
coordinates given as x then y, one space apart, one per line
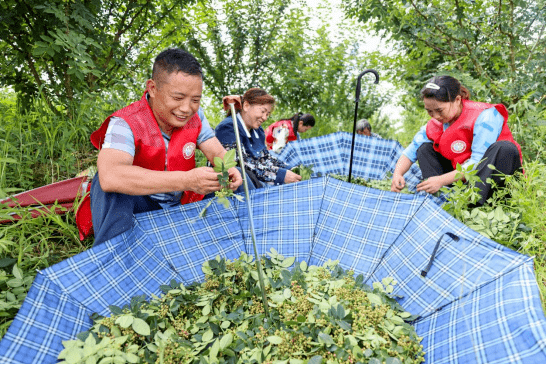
500 43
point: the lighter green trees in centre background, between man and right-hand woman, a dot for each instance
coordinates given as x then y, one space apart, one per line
274 45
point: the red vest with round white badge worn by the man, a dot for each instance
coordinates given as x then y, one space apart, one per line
149 150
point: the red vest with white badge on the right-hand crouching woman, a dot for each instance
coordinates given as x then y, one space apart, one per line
454 143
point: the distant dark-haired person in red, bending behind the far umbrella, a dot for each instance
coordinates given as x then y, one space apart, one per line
287 130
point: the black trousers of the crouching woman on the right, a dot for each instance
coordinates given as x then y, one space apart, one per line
504 155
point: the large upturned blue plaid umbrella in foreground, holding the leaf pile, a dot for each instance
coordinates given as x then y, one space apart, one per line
479 303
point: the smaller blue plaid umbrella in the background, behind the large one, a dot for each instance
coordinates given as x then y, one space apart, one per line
373 157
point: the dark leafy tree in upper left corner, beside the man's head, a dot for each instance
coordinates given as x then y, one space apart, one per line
63 50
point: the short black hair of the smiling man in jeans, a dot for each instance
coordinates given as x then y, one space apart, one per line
174 60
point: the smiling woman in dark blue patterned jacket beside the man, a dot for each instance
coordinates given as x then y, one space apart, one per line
253 110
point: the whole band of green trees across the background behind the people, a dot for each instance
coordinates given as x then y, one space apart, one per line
68 52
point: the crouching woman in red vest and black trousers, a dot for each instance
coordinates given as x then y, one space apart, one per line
463 132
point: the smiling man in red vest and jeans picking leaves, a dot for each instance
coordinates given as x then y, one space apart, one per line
146 159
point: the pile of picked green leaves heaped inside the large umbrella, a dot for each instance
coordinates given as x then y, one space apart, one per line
316 314
